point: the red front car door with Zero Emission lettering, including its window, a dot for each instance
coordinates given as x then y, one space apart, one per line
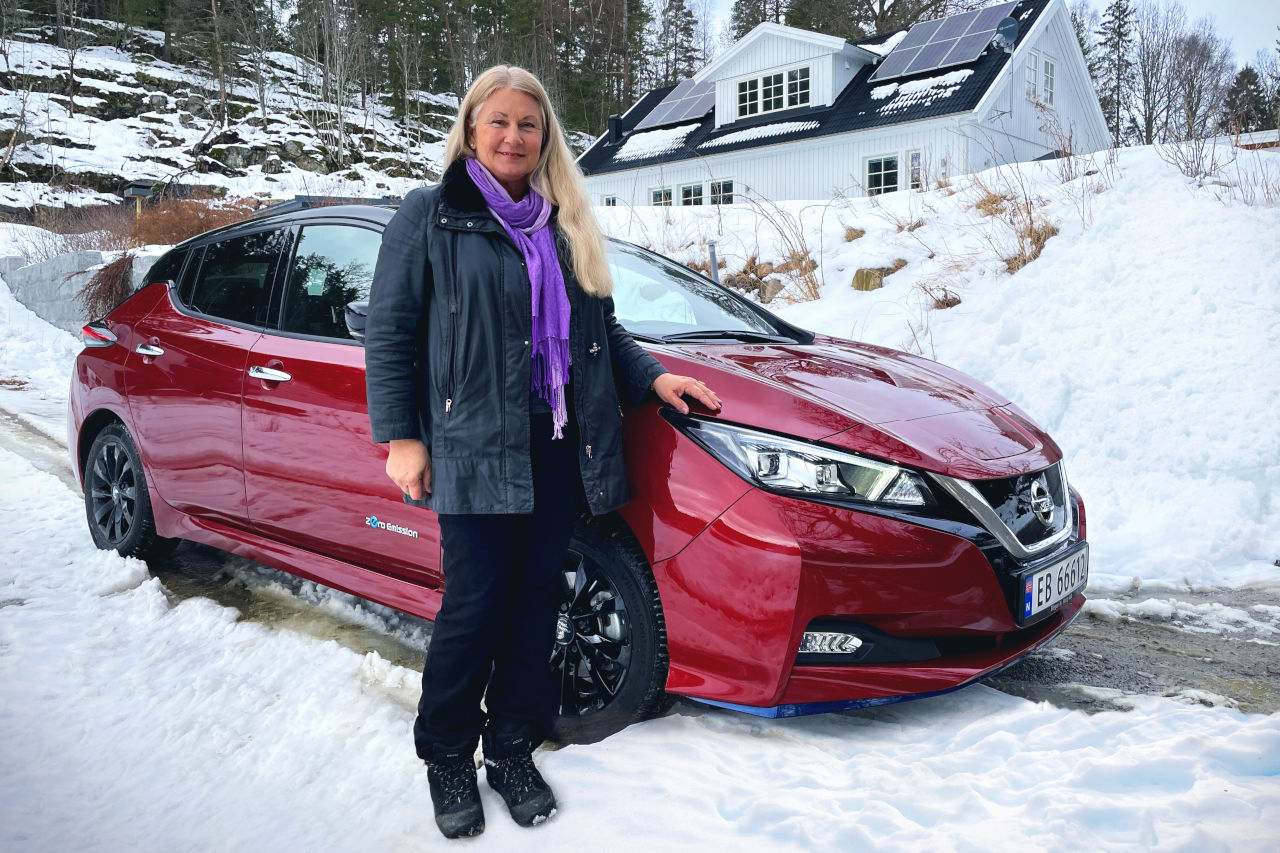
313 473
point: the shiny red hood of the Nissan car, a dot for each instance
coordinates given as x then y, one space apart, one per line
877 402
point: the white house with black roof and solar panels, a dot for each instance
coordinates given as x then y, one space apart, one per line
794 115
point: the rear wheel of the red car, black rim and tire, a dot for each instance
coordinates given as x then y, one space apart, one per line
117 501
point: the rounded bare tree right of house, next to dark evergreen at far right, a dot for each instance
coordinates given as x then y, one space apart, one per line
1201 71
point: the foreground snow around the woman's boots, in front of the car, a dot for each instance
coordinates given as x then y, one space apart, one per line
132 723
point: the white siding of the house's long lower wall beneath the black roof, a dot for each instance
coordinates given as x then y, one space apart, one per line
833 166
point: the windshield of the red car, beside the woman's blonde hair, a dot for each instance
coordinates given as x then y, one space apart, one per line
656 299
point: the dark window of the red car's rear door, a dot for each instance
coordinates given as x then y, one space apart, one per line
235 277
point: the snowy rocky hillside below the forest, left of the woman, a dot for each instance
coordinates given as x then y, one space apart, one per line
136 117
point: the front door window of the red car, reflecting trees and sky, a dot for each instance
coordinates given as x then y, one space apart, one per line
333 266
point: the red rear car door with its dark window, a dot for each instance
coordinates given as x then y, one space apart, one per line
188 375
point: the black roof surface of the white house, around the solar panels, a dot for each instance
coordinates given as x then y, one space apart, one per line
854 110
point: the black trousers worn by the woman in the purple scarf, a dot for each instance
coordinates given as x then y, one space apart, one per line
493 637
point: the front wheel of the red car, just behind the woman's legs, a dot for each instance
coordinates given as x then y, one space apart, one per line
611 650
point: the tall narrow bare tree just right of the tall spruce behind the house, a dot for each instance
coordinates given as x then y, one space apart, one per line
1159 30
